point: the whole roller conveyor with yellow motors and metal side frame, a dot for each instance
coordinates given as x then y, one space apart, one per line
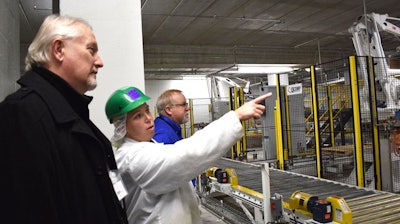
294 198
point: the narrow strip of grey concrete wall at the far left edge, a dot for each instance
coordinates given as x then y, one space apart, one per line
9 47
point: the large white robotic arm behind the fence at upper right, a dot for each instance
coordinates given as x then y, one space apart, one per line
367 42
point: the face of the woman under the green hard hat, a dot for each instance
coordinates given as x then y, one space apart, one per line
140 124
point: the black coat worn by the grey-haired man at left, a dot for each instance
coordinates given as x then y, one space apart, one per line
54 161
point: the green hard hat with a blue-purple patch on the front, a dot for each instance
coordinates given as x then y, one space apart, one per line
124 100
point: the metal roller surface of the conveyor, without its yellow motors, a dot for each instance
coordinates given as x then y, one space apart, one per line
367 206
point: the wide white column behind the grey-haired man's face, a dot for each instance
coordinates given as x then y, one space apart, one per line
117 26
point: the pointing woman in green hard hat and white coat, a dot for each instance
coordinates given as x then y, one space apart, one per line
156 176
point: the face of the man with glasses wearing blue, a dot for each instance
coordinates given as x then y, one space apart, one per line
178 110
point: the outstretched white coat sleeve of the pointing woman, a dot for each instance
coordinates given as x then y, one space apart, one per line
159 168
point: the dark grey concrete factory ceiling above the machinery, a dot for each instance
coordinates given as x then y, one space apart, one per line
202 37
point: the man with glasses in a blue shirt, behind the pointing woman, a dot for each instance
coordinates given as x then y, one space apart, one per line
173 111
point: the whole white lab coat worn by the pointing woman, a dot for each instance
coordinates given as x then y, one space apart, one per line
157 177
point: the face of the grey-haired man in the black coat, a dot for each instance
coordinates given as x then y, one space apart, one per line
81 61
